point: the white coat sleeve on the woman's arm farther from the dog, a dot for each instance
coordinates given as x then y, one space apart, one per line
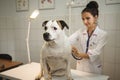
94 54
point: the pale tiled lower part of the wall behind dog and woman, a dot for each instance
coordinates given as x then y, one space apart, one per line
13 39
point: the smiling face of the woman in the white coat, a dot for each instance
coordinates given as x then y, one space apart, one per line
89 20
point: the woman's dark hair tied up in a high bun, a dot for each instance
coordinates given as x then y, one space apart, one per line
92 7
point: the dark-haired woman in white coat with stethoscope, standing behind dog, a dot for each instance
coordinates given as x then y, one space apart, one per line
91 41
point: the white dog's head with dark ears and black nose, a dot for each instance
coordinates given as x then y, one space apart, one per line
53 29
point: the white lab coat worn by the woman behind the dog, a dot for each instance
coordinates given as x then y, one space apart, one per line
96 44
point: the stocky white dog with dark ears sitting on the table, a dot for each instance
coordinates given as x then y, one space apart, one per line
55 53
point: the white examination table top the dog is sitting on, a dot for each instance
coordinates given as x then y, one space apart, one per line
31 70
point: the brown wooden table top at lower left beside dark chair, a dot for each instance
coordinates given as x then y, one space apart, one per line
8 64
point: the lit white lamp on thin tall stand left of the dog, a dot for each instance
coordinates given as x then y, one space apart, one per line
32 16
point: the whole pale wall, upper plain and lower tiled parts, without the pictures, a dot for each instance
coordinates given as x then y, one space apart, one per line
13 30
